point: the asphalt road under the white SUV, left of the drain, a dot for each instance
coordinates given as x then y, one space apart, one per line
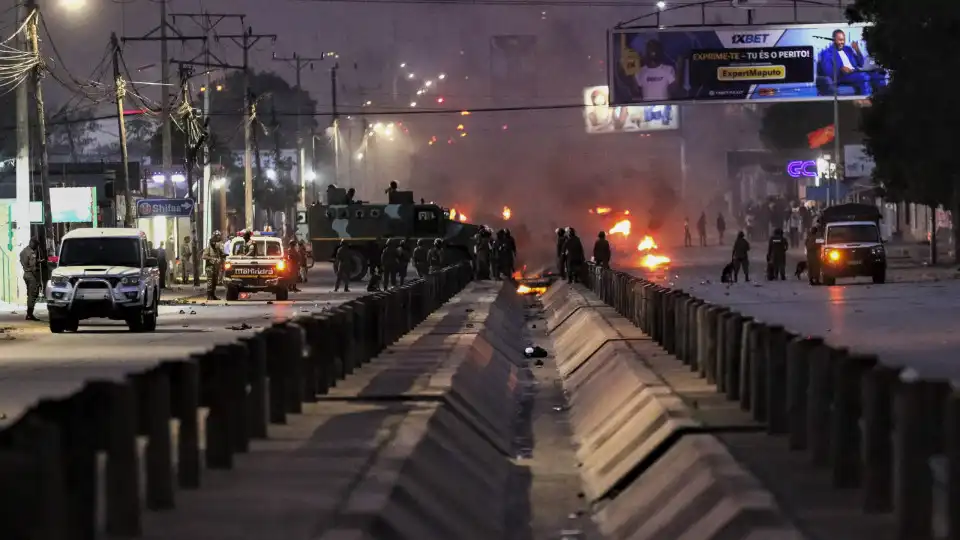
35 363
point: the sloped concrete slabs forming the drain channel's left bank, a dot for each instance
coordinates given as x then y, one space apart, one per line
446 471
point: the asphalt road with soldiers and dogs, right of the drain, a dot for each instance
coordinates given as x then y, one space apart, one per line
912 320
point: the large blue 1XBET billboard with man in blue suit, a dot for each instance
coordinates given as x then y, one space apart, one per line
806 62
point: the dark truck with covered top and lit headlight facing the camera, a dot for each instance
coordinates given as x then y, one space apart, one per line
851 245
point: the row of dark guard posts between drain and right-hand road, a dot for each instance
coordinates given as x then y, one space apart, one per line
876 428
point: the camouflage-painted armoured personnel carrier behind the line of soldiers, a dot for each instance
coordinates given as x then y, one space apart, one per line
366 226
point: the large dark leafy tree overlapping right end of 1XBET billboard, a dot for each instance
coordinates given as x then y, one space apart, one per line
909 128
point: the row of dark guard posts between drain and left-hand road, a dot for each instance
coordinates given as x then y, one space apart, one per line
155 431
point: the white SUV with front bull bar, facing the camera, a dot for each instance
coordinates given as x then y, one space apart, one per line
107 273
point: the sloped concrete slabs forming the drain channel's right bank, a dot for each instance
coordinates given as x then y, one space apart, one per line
645 463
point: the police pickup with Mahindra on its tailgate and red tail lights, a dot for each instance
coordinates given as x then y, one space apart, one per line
265 271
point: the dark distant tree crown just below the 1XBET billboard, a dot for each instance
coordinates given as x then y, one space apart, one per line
784 126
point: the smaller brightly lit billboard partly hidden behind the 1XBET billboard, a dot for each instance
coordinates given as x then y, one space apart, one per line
600 117
